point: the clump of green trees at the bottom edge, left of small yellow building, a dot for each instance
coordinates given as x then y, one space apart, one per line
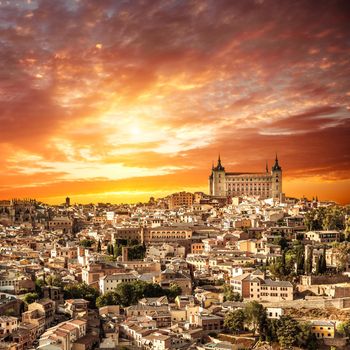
286 331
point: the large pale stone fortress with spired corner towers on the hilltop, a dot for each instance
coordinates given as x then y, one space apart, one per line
266 184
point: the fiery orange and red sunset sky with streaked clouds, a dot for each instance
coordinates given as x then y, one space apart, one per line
117 101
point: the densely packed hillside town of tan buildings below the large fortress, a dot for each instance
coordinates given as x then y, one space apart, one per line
188 271
